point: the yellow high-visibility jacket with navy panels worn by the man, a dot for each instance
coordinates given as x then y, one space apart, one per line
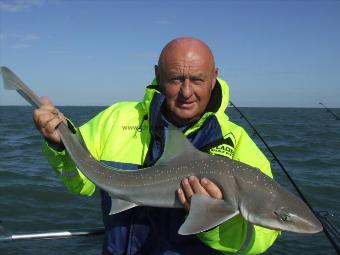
129 135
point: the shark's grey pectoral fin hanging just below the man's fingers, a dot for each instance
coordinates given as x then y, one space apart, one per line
206 213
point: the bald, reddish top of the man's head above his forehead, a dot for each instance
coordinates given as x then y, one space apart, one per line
187 47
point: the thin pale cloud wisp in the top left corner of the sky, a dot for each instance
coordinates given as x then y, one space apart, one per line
20 5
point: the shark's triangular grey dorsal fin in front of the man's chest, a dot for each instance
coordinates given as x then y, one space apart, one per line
178 149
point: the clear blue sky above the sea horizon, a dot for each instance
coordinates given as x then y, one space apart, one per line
82 52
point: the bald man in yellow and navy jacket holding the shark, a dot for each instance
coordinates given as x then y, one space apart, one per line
188 94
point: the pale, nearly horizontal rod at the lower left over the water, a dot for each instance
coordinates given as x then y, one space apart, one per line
53 235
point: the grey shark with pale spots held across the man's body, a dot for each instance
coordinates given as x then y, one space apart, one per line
246 190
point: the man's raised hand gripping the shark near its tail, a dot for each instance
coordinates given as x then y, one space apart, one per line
46 119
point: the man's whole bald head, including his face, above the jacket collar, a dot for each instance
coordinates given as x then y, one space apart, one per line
186 75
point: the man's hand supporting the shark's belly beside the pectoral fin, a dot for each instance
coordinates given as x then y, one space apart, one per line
193 185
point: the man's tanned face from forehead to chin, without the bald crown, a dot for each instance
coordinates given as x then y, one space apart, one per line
187 80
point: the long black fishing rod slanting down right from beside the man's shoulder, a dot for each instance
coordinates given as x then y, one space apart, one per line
325 222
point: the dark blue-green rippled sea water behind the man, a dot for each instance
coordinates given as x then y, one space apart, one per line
32 198
